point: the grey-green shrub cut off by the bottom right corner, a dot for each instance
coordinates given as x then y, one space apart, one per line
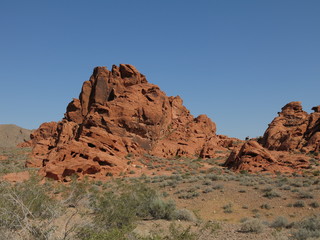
308 228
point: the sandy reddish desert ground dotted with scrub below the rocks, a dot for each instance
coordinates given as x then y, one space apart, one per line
177 198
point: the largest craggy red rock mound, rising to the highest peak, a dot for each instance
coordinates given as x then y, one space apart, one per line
118 112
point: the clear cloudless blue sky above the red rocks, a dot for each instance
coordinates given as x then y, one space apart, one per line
237 61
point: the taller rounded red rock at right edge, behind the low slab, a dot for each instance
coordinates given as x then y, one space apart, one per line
294 129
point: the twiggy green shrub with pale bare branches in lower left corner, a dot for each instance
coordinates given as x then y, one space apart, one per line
24 204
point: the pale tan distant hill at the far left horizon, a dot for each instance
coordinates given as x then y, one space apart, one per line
11 135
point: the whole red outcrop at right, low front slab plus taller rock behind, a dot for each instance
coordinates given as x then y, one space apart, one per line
289 135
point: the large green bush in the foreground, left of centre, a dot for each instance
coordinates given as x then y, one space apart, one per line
120 209
